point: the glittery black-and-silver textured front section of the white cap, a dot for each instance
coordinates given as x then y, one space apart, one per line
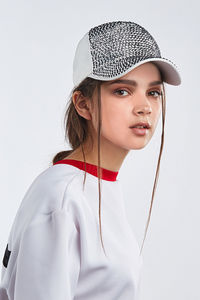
116 46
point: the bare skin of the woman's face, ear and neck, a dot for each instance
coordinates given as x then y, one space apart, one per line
120 110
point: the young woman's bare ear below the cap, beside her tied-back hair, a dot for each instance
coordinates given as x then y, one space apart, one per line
82 105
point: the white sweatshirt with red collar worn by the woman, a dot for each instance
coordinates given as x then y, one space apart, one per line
54 250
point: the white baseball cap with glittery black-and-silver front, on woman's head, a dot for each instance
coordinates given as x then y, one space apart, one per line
110 50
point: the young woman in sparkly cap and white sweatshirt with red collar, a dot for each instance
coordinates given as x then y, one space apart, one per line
70 238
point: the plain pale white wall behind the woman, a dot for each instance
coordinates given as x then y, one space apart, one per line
38 40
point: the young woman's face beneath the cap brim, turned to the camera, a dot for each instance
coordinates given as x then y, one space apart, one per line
126 103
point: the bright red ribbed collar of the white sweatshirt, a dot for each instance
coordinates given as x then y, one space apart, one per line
90 168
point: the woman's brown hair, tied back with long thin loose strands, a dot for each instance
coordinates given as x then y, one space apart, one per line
76 131
